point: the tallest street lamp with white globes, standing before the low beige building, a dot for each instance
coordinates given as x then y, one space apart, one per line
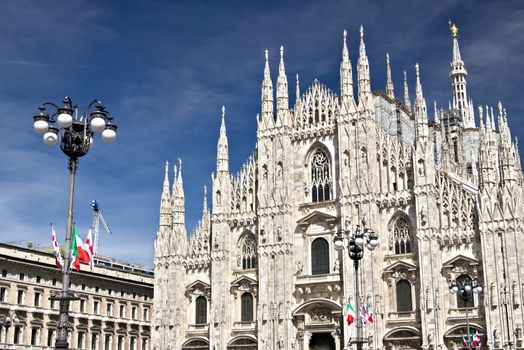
75 133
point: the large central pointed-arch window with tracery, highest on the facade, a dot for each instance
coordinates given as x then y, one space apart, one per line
320 177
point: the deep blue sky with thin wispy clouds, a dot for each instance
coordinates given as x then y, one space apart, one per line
165 68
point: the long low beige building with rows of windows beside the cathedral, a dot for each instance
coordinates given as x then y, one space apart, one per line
112 312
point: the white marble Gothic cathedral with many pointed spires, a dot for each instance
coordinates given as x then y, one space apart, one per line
444 194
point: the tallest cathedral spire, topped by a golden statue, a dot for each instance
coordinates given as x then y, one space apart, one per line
458 75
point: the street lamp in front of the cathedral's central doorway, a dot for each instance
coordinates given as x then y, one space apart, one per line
356 242
